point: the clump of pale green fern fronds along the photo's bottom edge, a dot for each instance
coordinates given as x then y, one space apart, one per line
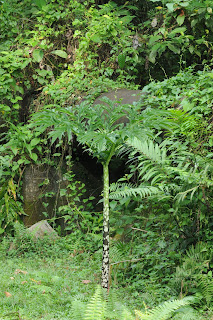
106 306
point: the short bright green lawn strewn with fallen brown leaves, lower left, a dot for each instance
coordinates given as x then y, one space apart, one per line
45 289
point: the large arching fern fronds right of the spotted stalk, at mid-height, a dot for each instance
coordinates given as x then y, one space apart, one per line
165 169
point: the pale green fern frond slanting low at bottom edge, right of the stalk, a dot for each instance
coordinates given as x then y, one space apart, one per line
164 311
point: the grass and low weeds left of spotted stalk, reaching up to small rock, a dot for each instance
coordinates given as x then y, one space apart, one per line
43 285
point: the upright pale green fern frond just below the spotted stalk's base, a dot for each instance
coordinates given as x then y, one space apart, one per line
96 308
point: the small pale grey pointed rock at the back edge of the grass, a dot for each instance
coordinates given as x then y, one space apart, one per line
42 228
